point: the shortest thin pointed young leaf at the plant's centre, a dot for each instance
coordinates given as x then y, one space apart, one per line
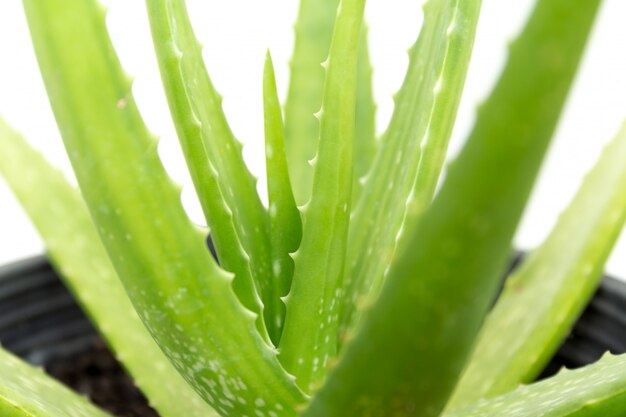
285 222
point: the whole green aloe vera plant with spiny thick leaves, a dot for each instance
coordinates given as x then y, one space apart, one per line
359 290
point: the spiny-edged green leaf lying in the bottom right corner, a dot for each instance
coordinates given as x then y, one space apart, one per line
598 390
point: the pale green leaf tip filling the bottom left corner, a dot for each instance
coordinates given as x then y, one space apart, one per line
28 392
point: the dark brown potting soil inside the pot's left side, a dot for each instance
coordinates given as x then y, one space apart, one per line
96 374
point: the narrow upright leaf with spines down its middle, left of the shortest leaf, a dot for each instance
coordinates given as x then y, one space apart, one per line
227 191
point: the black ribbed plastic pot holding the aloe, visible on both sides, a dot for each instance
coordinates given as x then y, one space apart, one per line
41 322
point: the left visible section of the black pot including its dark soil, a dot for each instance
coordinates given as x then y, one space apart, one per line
41 322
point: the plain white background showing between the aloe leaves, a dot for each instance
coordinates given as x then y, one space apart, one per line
236 34
